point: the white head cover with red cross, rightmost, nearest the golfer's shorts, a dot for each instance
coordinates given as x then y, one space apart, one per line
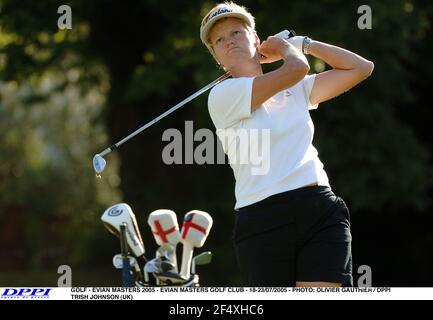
196 227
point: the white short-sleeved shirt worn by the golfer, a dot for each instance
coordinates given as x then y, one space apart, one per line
270 150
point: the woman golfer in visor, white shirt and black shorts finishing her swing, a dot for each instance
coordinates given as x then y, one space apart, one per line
291 229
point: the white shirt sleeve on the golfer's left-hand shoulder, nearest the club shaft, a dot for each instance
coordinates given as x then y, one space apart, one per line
230 101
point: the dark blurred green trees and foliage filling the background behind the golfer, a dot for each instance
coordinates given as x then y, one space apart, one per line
68 94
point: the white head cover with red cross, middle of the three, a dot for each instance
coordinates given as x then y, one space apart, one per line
165 228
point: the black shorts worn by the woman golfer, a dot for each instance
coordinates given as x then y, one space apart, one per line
298 235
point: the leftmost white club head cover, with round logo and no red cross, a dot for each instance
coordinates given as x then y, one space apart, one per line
120 213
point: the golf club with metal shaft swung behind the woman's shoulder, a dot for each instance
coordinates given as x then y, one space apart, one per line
98 160
